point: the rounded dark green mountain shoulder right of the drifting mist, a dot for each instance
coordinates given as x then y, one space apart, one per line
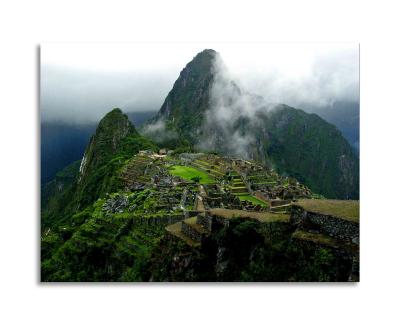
306 147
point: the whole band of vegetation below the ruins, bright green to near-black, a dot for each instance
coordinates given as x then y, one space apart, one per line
95 246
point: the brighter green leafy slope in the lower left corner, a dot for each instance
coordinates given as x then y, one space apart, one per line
97 247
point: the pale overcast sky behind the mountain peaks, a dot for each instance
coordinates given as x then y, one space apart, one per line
81 82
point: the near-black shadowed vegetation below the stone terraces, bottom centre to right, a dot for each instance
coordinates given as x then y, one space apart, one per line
247 251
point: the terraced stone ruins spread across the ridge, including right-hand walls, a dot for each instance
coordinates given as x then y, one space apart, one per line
192 212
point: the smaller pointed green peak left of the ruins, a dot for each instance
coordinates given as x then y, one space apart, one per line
114 142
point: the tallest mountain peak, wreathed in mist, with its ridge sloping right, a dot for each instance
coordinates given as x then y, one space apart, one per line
208 111
